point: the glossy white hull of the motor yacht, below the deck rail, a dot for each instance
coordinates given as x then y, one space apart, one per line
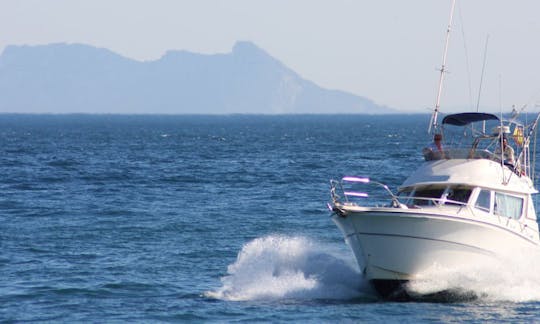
393 246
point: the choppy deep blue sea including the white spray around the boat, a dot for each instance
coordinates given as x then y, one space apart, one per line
156 218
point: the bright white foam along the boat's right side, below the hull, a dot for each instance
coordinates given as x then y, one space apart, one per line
511 278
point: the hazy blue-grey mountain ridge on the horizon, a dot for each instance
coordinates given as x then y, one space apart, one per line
75 78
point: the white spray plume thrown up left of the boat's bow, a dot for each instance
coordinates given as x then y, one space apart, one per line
282 267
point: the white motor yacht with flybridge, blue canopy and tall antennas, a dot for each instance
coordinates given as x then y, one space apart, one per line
468 203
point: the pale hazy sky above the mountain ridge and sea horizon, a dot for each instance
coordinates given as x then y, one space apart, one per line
387 50
